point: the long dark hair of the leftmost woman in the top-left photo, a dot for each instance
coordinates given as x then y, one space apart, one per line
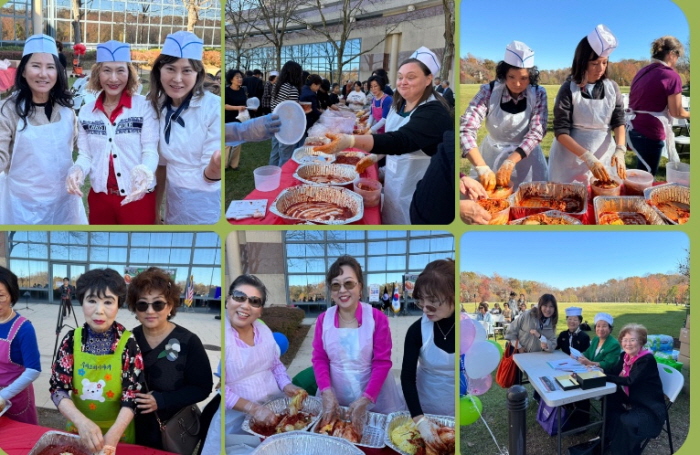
22 97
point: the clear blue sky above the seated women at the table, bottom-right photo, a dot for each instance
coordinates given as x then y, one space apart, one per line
563 259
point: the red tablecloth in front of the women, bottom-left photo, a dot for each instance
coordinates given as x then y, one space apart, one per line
17 438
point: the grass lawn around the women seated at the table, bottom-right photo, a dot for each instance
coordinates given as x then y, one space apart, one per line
658 319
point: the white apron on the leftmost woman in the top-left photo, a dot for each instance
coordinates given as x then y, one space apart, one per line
34 188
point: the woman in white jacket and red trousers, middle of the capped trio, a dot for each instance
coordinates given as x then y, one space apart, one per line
117 144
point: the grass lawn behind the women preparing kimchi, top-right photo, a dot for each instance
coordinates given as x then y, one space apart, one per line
468 91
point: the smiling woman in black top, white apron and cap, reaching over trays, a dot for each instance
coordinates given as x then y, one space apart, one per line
414 129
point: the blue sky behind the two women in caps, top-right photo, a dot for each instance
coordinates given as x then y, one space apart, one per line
553 28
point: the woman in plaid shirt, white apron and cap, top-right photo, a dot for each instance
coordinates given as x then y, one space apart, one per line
514 107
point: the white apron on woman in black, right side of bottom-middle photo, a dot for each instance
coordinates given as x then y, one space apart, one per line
435 376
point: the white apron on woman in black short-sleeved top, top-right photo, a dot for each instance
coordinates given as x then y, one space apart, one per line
591 130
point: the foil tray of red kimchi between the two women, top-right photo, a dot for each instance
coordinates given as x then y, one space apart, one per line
550 190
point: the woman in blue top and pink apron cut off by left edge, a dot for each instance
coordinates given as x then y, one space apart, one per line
19 354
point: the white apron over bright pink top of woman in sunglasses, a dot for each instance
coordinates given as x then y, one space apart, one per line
350 352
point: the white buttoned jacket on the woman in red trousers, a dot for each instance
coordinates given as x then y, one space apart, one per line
131 140
